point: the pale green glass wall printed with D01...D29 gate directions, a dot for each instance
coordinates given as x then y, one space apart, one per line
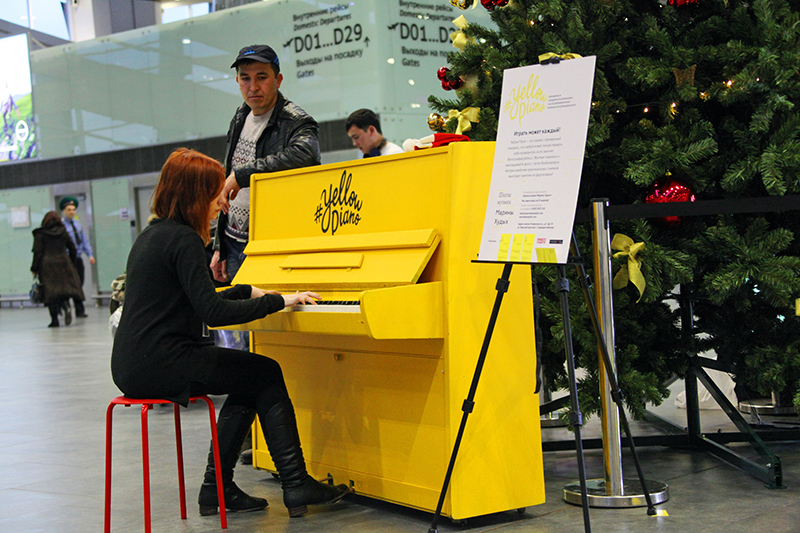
173 82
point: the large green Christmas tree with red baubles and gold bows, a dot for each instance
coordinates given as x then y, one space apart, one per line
706 91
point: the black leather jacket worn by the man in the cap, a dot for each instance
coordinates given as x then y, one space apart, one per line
290 140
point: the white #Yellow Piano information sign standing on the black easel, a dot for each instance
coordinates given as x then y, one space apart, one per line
541 137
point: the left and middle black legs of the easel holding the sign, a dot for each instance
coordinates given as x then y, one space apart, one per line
576 418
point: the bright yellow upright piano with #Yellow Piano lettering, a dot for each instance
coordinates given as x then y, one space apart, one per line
378 372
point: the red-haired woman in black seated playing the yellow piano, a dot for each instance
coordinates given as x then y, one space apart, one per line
160 350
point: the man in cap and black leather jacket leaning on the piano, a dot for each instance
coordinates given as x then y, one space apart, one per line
268 133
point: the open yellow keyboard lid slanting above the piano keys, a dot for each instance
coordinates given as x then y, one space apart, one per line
344 262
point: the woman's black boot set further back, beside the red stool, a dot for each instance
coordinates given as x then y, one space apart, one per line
232 427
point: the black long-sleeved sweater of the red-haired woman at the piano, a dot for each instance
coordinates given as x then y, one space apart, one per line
159 346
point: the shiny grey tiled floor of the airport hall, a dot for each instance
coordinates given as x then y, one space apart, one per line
55 385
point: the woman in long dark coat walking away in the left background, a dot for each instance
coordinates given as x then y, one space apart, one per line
53 261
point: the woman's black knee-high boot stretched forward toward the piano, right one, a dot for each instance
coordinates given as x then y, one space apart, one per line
299 489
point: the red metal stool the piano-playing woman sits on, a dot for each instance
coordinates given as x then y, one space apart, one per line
146 406
